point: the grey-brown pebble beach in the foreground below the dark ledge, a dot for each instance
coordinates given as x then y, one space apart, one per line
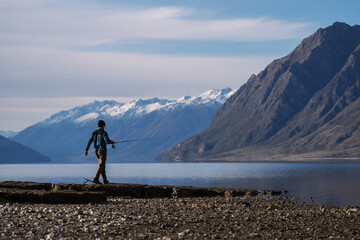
217 217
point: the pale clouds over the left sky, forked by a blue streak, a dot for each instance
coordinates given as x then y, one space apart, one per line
42 69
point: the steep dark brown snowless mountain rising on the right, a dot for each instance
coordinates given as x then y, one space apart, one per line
305 104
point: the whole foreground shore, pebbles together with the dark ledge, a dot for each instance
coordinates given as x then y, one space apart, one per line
166 212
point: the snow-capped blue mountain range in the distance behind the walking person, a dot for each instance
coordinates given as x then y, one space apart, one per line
64 135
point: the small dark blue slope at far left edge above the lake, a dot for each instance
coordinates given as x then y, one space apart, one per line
13 152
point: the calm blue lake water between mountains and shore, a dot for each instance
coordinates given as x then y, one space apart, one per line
326 183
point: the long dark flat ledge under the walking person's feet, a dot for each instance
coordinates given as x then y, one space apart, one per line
94 193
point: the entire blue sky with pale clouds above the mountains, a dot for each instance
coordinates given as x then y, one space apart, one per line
58 54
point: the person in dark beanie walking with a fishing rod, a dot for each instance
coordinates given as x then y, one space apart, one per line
100 138
